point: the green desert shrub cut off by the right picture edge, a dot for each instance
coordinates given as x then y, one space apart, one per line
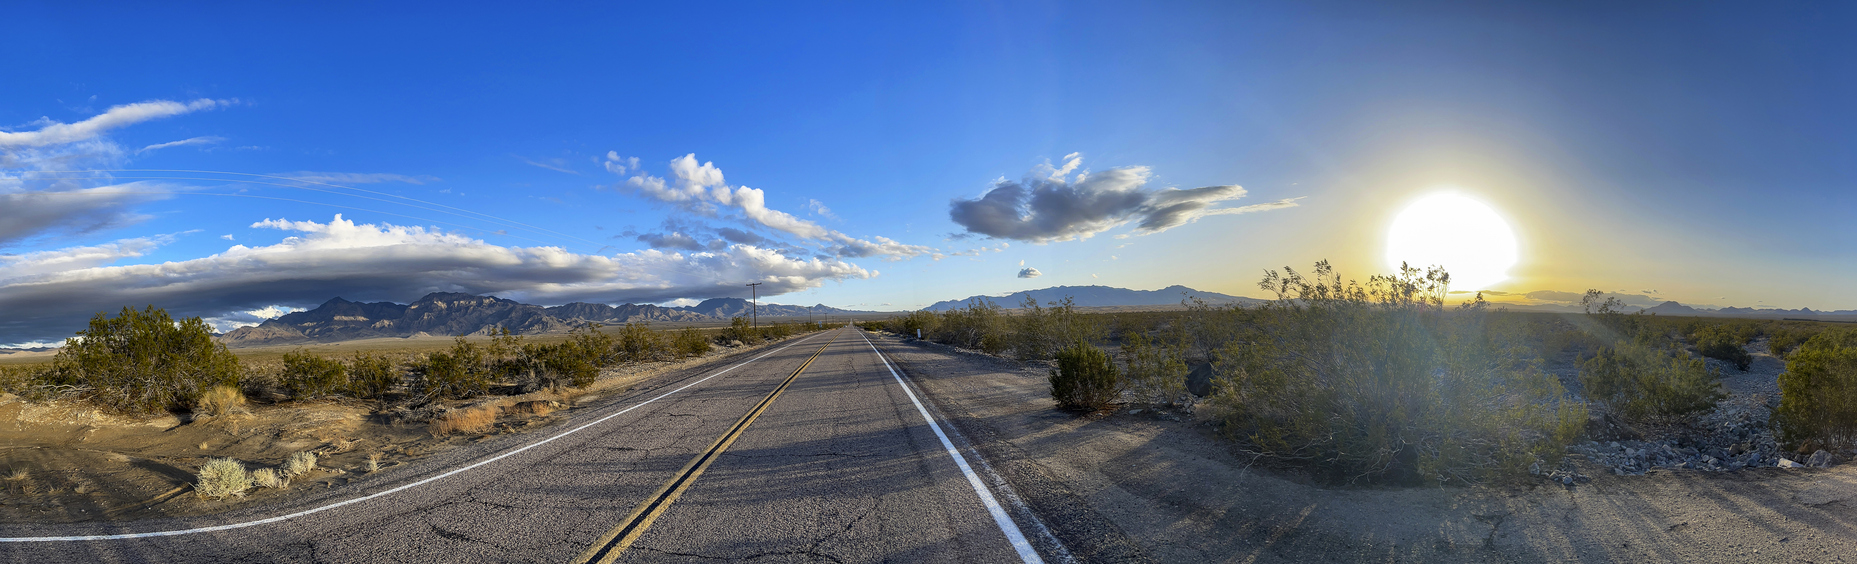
1819 392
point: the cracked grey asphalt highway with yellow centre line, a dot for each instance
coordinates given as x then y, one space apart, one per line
805 452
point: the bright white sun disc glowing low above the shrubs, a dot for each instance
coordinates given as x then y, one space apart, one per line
1459 233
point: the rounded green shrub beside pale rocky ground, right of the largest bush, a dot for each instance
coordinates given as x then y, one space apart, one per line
1641 383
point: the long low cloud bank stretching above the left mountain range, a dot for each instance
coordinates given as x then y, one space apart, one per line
378 263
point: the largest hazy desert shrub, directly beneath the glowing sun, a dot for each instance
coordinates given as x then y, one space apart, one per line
1381 383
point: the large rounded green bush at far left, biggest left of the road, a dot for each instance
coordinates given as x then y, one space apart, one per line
144 361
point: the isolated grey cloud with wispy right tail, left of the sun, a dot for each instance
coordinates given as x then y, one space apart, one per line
1063 205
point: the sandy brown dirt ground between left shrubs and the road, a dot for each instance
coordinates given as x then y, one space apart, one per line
68 463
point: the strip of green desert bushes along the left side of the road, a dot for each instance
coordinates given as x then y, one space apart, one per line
148 363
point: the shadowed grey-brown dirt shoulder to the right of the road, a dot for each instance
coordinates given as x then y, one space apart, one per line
1163 487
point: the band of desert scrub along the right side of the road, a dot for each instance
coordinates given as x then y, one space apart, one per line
1383 383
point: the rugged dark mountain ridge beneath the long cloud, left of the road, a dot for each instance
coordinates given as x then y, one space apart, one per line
458 314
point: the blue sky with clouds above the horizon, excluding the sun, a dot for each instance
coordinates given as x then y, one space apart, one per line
1670 151
